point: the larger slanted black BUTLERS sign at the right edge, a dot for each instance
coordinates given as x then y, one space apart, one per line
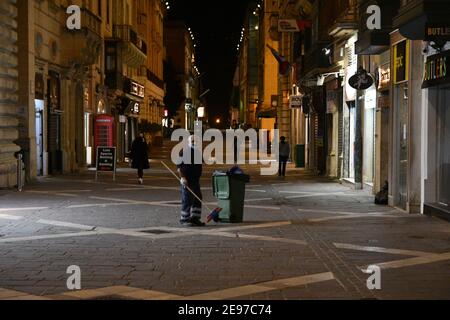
437 70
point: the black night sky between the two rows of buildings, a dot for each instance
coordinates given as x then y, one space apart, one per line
216 26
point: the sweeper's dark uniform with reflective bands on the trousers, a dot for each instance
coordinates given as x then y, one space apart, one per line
191 207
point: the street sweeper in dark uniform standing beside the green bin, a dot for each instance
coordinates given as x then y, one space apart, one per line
191 172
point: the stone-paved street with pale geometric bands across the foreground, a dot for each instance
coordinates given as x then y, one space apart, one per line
303 238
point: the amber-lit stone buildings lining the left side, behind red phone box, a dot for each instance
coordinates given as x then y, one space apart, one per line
73 81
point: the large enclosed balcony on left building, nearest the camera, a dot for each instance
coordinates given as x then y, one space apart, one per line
82 47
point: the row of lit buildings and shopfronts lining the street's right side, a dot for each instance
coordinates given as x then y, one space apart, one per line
391 132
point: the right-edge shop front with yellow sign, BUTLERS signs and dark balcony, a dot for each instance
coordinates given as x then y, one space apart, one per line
420 133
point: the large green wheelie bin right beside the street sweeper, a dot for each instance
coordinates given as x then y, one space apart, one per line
229 190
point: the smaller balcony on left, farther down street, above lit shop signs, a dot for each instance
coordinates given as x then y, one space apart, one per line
134 49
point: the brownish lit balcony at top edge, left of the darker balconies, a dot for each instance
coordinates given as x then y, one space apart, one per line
346 18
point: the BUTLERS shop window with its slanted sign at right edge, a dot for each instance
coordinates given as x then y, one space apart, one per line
436 180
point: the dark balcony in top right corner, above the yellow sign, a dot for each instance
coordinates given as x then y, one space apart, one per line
416 15
